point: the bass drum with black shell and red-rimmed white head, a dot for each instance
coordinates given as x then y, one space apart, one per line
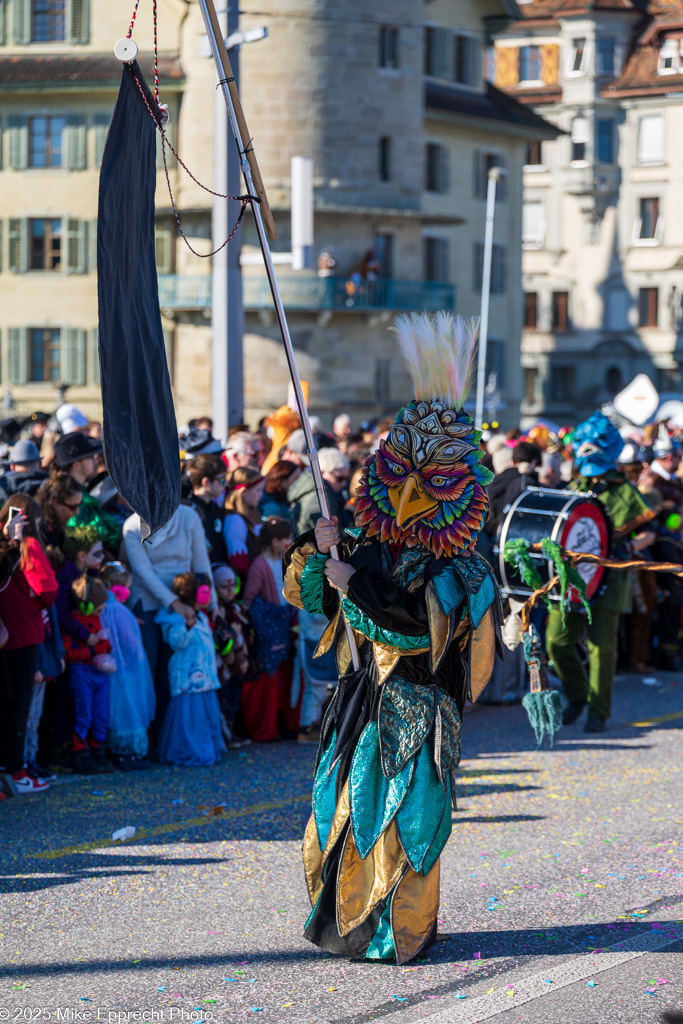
576 522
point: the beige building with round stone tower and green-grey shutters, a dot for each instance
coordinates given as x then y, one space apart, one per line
391 101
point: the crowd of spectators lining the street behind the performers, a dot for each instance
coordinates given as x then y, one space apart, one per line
116 654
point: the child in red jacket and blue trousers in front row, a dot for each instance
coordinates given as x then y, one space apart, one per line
92 665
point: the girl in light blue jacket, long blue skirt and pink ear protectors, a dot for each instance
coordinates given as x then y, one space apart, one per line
191 734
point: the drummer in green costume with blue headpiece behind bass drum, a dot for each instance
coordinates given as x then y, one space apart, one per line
599 446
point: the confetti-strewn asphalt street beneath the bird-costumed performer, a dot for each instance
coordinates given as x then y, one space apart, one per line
563 888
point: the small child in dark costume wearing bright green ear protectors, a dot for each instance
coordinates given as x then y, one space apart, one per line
235 663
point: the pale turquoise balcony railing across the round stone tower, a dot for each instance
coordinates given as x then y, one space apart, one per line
313 293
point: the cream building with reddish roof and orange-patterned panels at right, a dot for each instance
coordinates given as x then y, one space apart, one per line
603 229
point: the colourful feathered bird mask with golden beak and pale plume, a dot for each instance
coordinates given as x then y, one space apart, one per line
425 486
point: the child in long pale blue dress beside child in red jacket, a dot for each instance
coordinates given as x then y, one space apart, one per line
132 687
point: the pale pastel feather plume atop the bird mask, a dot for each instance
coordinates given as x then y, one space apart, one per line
440 355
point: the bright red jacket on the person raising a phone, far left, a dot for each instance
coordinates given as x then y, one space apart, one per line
32 587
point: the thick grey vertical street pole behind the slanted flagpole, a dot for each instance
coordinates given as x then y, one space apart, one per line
227 311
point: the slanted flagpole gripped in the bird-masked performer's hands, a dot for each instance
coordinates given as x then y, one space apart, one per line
226 77
